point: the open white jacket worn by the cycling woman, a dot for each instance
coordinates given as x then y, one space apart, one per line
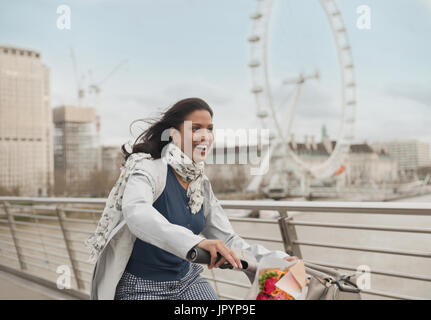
140 219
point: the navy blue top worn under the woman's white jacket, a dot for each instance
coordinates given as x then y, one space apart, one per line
150 262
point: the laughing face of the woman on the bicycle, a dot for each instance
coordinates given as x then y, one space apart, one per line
197 135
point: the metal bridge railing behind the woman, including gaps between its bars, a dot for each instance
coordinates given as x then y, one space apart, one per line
44 238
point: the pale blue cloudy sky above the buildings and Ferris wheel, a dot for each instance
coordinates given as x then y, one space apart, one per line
183 48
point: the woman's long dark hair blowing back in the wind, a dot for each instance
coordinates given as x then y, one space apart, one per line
150 141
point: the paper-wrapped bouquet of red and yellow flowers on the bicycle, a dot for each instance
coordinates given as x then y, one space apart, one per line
278 279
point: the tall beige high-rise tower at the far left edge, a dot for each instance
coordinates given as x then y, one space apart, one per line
26 151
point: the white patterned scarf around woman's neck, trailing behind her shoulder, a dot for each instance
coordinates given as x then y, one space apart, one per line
188 170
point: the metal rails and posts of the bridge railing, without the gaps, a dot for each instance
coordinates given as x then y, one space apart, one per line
286 209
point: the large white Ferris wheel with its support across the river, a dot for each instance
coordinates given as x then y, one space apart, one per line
267 105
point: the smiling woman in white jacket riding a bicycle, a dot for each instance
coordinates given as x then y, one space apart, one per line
169 207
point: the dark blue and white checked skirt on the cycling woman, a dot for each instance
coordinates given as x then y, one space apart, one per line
191 287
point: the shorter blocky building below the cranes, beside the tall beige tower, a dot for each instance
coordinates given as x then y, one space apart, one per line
75 146
